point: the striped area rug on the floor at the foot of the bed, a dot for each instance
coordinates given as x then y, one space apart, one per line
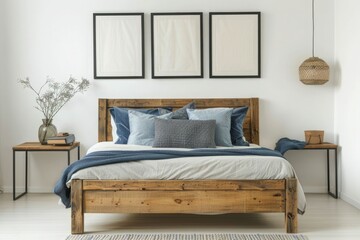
169 236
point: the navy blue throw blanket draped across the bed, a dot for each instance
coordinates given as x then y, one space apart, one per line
109 157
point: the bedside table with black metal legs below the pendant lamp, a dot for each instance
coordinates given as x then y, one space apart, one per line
327 147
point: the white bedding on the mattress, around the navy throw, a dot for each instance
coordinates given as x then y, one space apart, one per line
217 167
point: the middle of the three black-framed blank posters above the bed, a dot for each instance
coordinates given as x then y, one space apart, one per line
177 45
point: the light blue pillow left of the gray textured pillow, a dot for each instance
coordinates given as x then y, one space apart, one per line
142 127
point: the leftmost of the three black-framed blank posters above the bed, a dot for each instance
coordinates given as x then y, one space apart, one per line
118 45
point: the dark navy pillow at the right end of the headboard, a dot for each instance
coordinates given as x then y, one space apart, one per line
237 133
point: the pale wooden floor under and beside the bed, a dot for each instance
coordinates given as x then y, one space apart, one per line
38 216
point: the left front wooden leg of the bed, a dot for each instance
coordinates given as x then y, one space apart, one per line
77 213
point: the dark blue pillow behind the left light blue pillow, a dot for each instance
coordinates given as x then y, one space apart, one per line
121 120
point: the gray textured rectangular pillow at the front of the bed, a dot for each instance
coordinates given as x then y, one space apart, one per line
184 133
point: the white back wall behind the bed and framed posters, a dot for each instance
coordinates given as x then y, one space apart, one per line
55 38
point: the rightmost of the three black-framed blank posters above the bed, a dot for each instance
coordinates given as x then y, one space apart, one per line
235 45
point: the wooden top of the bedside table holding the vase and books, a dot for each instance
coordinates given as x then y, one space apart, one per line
36 146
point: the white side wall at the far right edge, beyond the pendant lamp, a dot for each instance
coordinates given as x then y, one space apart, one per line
347 98
